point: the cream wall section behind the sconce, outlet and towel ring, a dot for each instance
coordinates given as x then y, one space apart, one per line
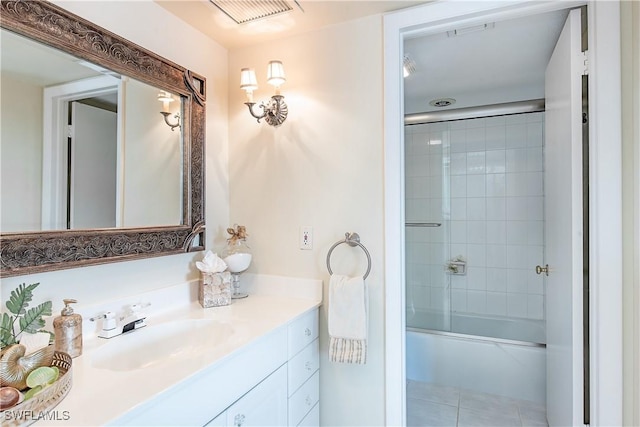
323 168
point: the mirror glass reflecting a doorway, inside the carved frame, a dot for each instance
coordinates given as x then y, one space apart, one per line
82 147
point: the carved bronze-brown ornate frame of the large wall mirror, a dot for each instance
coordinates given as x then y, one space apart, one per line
36 252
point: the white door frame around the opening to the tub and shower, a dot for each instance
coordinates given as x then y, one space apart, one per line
605 197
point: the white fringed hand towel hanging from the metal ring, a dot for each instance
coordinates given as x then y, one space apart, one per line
347 319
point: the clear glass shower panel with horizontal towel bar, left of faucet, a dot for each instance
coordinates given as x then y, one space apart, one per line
427 226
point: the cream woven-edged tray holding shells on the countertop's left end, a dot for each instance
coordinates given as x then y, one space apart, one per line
40 406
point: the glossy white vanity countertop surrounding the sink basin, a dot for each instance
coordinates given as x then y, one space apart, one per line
99 396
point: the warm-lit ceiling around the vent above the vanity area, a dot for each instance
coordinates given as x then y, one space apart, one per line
208 19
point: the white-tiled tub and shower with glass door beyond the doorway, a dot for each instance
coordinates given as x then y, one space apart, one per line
474 232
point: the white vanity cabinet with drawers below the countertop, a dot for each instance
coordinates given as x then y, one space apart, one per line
272 381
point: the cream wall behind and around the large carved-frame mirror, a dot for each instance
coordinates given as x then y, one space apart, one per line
152 27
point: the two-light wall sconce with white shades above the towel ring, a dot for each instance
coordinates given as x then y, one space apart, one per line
274 111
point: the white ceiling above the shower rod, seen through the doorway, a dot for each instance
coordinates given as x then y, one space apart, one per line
504 62
